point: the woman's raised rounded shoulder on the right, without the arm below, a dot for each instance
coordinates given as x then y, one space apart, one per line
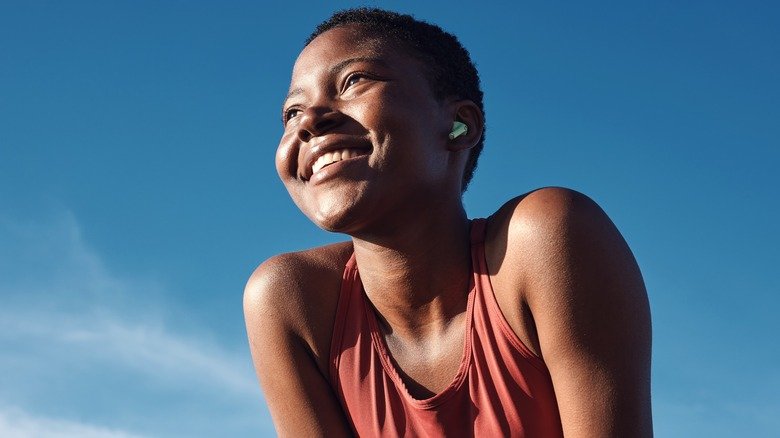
559 237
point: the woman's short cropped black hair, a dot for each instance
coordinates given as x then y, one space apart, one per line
451 72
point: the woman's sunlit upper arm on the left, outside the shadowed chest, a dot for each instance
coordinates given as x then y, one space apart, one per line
298 395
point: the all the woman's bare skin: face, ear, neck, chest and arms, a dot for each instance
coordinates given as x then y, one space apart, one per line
563 276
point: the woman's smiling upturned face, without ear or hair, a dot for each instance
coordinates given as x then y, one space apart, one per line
364 137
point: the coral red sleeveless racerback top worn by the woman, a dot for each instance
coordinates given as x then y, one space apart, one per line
501 388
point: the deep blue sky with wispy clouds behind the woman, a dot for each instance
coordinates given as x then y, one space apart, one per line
137 193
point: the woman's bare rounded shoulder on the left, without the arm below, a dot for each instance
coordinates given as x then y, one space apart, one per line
298 293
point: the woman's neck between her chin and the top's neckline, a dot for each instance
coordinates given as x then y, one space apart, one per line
417 277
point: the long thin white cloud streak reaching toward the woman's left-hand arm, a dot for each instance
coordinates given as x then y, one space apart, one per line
146 347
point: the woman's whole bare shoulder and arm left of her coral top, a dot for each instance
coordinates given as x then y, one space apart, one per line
289 308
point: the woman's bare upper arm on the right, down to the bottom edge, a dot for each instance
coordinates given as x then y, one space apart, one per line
591 313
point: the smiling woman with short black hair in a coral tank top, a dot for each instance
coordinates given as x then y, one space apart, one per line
533 322
